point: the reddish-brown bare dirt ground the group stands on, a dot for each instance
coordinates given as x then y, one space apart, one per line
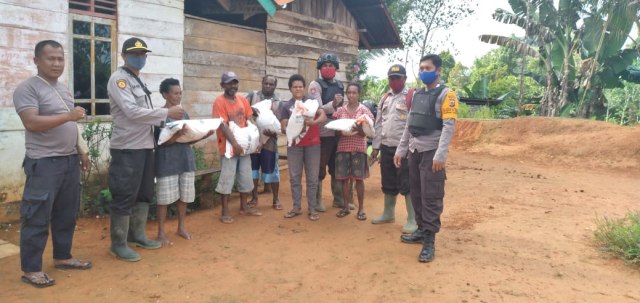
521 200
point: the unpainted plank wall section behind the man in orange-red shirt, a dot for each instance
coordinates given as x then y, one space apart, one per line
211 48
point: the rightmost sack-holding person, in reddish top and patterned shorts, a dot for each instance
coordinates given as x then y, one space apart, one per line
351 158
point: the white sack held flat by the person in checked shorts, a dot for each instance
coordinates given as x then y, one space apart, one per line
196 130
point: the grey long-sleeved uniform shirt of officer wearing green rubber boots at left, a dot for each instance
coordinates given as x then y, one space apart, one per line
132 112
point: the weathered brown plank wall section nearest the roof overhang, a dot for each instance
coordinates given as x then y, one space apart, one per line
295 41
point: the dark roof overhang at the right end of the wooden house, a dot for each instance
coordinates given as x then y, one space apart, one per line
375 25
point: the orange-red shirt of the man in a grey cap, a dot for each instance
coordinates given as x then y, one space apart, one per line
237 111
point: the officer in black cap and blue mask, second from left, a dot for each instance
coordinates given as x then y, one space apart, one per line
132 171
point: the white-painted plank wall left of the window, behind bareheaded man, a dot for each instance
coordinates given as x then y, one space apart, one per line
22 25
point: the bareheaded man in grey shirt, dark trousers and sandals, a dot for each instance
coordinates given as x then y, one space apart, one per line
52 165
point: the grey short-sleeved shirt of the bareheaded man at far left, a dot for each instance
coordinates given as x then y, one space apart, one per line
58 141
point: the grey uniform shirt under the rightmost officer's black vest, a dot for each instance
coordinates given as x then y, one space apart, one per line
438 140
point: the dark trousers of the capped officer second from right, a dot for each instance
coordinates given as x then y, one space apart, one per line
394 180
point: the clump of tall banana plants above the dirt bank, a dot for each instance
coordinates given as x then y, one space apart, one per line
579 43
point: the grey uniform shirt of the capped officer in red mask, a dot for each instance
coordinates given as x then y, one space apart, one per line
391 119
